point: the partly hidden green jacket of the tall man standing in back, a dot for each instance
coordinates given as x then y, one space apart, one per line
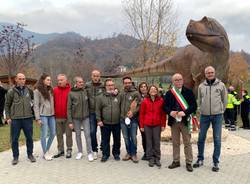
93 91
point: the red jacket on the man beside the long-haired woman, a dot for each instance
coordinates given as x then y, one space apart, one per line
60 101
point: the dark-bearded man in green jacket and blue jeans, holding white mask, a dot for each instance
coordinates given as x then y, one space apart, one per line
129 118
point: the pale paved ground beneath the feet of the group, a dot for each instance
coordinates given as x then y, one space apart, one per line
235 167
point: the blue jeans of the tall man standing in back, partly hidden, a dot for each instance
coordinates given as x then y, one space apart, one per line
93 130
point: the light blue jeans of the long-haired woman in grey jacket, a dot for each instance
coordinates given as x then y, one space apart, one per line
47 122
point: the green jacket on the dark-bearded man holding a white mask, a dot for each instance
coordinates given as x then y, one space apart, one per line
127 97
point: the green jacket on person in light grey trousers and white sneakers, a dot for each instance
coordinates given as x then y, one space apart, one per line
77 105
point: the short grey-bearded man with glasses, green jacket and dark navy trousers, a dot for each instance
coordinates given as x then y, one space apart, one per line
108 117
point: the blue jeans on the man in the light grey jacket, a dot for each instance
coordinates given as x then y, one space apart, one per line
205 121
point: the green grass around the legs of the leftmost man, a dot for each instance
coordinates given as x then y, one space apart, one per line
5 136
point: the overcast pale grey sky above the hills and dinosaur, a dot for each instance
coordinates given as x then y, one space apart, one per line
101 18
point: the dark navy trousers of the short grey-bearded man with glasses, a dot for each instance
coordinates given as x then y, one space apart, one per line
106 131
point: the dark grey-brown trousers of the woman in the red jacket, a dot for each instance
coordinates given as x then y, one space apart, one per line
153 138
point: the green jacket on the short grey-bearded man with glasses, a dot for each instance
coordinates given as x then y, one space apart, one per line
108 108
